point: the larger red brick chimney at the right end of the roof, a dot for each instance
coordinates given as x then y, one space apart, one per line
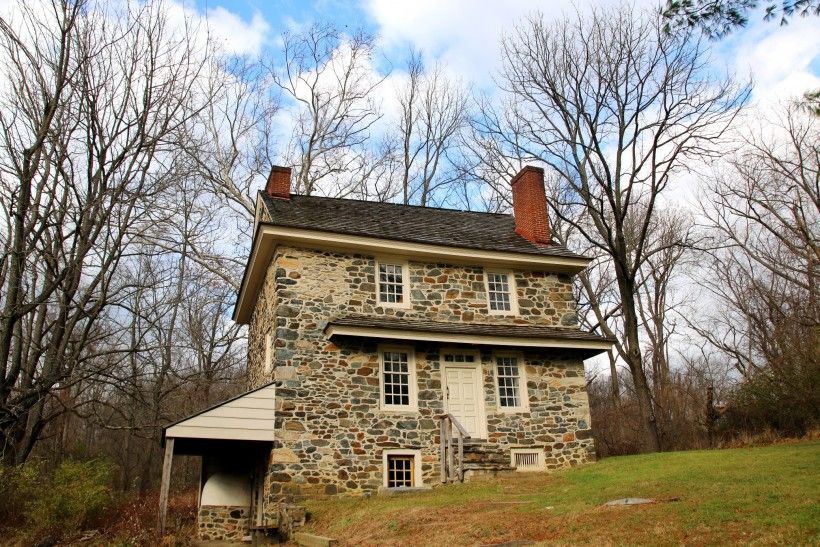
530 205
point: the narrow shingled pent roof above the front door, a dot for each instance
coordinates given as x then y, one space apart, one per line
512 331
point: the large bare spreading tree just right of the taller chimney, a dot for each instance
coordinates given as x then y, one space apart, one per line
616 107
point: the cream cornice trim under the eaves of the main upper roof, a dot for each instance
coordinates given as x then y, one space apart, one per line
268 237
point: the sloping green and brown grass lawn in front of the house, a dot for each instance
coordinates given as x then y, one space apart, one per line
746 495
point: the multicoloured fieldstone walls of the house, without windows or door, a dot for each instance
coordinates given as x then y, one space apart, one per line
331 433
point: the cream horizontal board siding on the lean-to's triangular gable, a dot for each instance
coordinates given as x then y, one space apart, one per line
249 418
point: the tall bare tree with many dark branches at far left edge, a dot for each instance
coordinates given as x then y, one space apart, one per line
94 96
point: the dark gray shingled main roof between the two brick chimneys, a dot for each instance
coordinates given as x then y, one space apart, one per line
473 230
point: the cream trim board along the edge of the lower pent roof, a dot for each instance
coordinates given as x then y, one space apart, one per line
459 338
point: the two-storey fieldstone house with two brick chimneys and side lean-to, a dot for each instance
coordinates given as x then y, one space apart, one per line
393 347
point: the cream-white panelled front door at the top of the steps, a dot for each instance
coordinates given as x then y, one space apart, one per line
463 391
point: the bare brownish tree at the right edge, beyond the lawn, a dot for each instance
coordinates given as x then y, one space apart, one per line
763 217
